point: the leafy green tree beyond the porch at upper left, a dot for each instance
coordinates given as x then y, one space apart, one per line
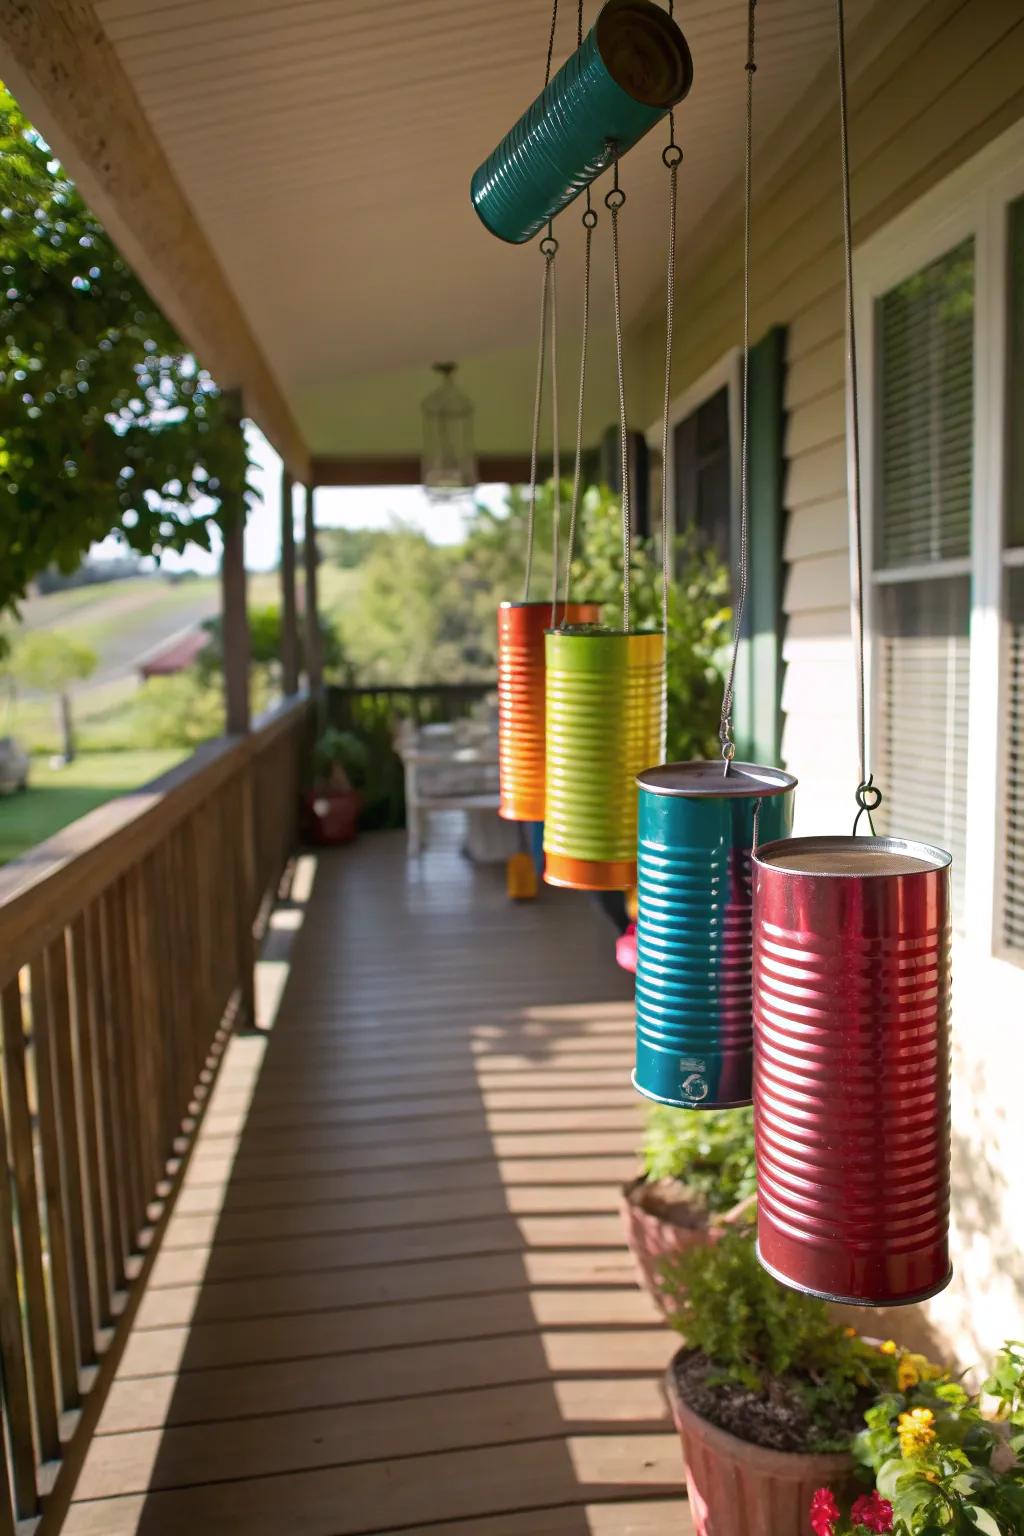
107 422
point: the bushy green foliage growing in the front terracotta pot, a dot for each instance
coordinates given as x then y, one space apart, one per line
759 1334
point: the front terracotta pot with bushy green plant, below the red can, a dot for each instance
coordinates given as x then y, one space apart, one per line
767 1392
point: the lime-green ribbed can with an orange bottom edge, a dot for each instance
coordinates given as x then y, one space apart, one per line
606 723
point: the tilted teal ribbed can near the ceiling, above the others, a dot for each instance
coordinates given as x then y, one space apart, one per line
632 68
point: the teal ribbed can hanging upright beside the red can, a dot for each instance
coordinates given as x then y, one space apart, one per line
695 952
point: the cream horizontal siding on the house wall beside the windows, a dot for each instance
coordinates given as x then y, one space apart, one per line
950 79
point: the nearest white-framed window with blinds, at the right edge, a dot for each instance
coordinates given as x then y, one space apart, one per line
940 296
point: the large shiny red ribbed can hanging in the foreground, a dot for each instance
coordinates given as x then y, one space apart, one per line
851 1073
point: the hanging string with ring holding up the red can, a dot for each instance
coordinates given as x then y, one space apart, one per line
868 796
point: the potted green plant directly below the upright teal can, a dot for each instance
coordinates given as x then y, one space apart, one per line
698 1179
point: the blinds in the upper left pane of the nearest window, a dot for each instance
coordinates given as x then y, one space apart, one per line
927 414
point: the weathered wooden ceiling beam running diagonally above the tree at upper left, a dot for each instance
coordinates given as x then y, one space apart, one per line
61 65
